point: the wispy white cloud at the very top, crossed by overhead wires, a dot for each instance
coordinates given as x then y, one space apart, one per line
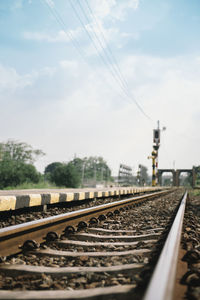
103 9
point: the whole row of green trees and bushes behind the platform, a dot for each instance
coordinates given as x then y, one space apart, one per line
18 172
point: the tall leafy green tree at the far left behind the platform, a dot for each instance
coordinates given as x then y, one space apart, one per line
16 164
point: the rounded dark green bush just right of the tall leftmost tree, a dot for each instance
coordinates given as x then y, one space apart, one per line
66 175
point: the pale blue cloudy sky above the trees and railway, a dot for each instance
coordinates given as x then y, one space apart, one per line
93 77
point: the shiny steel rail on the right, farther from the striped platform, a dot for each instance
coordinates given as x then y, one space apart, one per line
161 286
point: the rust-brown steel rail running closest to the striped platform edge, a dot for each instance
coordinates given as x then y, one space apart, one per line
14 236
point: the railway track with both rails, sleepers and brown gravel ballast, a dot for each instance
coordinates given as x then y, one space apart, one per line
106 251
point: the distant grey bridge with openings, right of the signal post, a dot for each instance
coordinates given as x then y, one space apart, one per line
176 175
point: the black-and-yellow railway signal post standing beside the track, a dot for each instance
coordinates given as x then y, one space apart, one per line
154 154
